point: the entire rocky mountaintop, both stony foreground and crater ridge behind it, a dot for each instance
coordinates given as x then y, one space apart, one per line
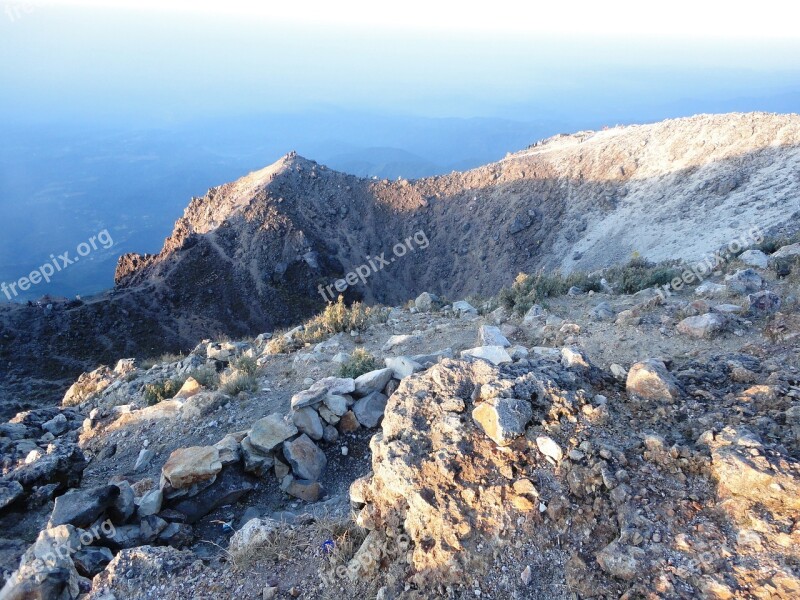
616 423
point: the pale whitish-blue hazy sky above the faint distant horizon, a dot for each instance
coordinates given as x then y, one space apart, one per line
175 59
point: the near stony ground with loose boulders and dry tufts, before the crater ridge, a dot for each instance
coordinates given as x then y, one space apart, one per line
605 446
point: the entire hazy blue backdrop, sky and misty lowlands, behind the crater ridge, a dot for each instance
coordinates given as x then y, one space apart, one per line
114 113
